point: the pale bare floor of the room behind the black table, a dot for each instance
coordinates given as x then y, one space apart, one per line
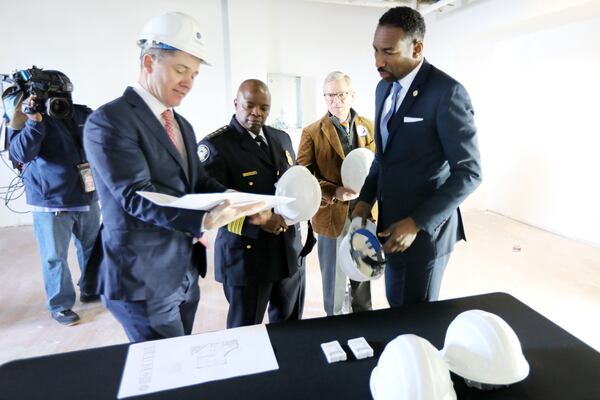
558 277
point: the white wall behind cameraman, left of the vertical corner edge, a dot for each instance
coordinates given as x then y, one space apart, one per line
93 42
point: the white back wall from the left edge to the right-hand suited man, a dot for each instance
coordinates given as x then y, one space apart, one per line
93 42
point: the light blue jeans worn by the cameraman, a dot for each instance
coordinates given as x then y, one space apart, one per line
53 234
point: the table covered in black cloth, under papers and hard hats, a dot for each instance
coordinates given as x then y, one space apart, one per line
562 367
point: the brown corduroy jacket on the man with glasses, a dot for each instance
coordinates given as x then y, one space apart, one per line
321 151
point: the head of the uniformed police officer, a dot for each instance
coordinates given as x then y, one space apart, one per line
252 105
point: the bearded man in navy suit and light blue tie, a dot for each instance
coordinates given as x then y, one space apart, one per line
427 160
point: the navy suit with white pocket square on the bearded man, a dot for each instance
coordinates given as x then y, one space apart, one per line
428 168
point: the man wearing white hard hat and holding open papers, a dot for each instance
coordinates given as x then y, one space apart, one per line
148 274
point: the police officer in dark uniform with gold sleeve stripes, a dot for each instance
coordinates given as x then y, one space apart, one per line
259 265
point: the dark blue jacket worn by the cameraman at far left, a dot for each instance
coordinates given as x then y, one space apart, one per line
50 151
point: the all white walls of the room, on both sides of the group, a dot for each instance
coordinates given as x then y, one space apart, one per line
529 65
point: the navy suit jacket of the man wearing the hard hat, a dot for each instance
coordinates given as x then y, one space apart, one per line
146 250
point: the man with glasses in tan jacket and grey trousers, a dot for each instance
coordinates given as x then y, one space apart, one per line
323 146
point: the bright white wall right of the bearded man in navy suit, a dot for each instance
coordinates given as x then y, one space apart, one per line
531 68
